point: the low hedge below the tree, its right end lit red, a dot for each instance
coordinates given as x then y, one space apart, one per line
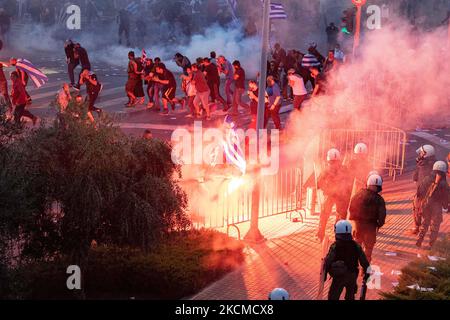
179 266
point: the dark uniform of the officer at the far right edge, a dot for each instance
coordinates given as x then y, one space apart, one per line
432 196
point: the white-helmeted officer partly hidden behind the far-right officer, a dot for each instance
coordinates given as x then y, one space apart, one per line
424 166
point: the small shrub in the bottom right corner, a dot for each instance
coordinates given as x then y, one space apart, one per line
419 272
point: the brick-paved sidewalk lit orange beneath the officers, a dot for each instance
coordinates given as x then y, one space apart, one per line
291 256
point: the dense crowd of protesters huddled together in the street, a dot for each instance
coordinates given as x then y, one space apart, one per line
217 82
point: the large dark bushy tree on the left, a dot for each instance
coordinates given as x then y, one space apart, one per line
69 183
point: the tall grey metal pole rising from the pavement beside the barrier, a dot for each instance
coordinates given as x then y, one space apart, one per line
254 235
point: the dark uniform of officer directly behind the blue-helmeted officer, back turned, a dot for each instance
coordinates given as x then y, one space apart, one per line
368 211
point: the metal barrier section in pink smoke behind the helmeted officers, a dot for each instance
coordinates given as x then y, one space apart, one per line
386 144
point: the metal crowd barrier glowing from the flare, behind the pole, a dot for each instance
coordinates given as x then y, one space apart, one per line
230 202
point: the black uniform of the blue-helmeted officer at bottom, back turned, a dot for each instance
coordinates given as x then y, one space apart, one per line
342 263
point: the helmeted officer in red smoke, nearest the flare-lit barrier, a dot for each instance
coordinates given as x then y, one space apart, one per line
332 182
